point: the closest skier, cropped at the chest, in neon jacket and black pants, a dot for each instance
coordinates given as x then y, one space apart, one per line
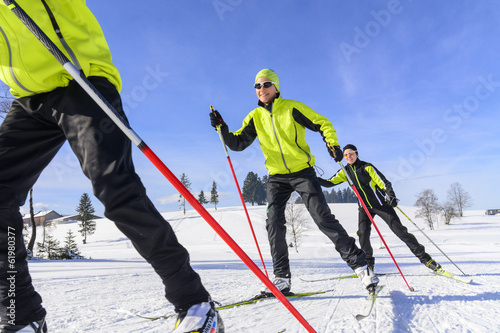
51 109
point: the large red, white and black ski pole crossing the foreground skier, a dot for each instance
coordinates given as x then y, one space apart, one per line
120 122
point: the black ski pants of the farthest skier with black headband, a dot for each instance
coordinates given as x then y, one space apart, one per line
388 214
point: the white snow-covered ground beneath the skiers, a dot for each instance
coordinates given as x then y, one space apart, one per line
106 292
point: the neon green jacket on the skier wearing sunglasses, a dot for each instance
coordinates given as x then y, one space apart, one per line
281 135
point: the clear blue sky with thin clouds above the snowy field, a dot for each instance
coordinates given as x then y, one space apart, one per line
415 85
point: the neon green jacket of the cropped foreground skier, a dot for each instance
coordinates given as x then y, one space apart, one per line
28 68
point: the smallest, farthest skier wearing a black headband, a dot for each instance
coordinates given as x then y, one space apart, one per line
379 197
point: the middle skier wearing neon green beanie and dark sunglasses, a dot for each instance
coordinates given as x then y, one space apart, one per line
280 125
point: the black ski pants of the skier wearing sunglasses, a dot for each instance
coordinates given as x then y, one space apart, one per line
306 183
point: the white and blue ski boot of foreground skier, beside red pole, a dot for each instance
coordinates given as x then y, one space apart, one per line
202 317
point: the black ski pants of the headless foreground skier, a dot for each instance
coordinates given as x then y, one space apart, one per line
31 134
